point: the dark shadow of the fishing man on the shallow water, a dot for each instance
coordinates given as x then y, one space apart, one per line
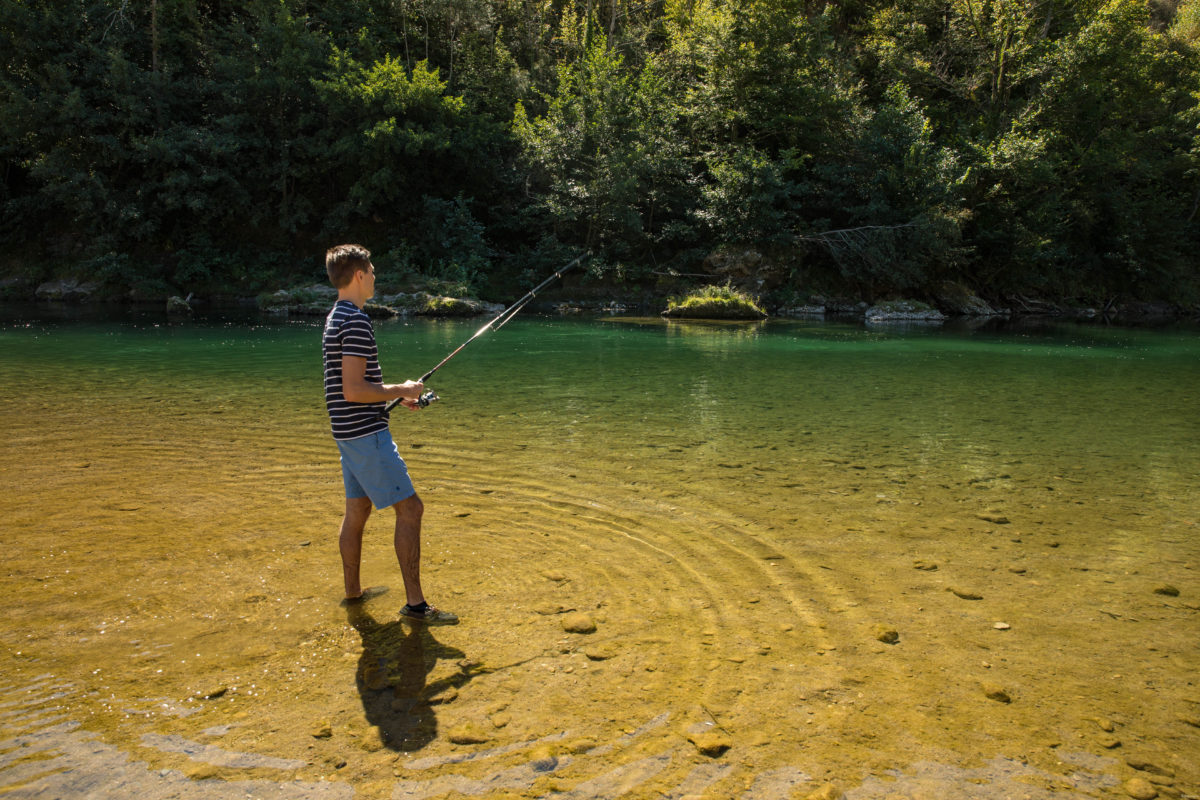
392 677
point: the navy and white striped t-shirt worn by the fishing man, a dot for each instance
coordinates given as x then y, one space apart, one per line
349 332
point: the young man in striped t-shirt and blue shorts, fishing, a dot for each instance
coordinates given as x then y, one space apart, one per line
373 471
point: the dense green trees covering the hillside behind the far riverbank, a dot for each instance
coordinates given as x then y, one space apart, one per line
872 148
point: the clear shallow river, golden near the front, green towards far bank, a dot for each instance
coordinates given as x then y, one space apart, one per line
907 563
